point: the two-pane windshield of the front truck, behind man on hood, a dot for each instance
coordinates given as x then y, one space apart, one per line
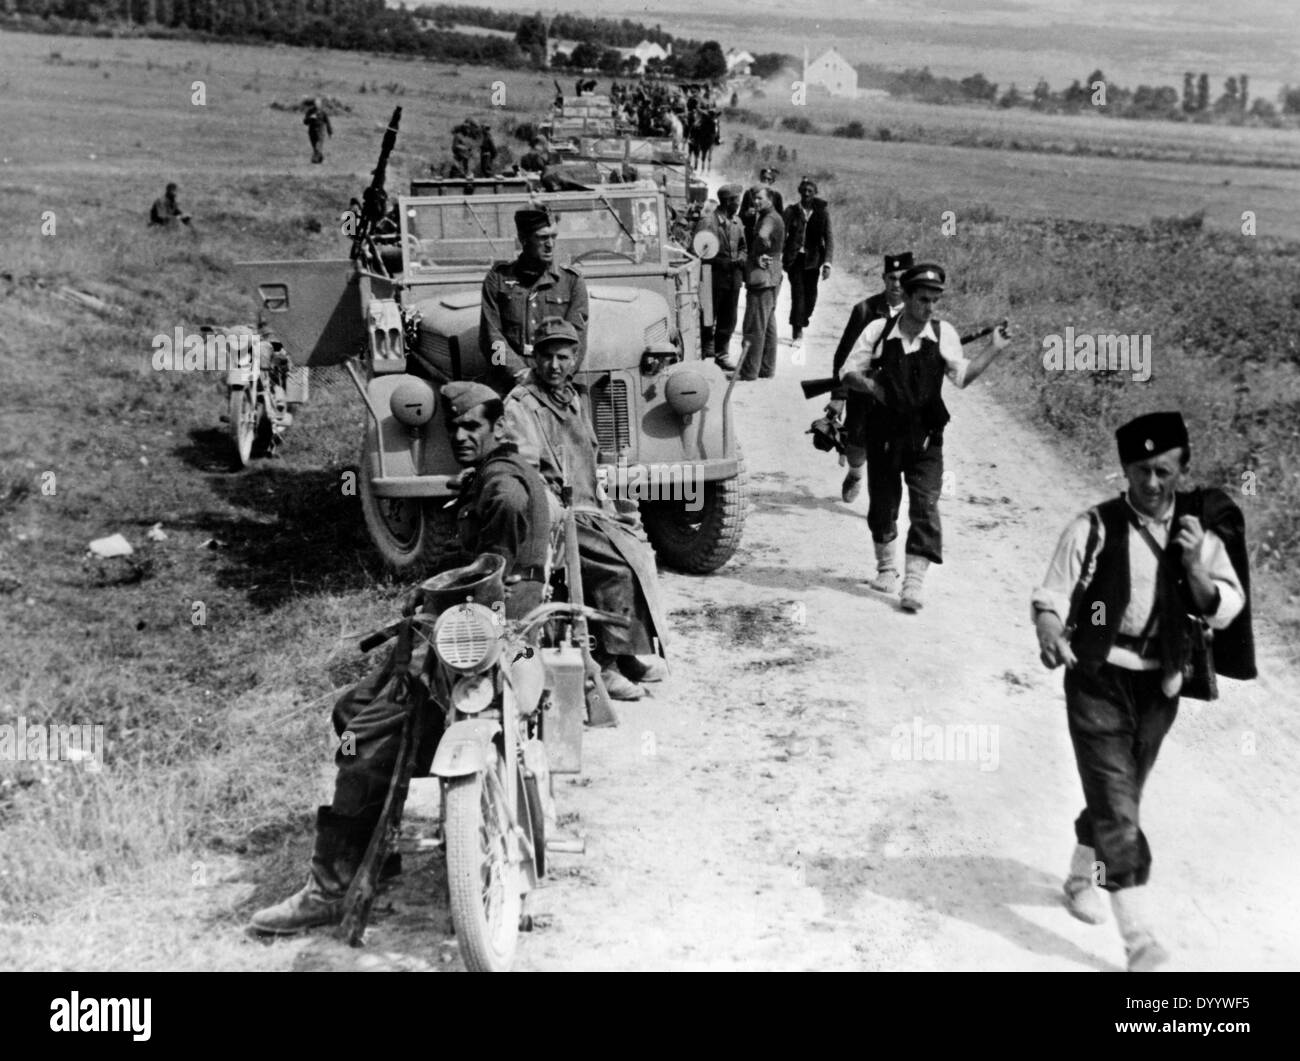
458 236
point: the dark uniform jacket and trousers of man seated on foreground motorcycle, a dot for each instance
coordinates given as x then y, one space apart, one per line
505 510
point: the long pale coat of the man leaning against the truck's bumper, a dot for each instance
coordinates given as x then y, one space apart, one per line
618 565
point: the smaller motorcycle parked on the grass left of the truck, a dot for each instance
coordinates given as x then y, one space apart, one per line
259 382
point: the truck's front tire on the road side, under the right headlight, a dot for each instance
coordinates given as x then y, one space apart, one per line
701 543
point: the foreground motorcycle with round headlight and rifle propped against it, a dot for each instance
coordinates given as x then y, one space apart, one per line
513 695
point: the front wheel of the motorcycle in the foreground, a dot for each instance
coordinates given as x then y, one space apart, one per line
484 880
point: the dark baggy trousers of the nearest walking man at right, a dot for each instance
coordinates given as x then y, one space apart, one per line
1119 720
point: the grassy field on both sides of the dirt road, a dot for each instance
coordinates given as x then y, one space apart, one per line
218 733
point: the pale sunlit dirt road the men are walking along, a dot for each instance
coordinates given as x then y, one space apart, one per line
783 803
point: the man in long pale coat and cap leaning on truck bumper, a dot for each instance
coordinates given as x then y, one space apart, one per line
545 419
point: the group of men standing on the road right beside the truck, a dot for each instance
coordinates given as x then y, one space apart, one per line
759 241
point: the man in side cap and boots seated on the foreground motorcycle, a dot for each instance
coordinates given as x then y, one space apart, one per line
505 510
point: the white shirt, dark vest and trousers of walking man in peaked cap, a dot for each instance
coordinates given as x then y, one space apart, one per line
905 434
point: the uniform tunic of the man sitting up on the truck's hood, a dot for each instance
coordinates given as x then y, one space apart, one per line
515 302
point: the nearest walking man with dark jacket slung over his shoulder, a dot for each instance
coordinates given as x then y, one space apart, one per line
1123 603
